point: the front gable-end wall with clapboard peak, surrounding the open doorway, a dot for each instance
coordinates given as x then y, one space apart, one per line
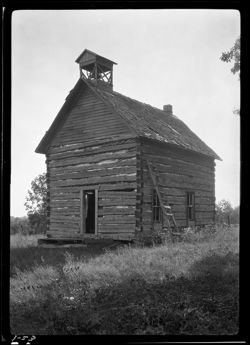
94 150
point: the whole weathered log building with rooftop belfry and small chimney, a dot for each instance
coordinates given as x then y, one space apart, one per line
114 163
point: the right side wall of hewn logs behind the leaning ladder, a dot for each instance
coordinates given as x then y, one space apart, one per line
180 171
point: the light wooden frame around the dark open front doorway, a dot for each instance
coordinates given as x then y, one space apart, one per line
82 210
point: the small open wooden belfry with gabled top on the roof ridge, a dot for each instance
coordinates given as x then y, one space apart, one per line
96 68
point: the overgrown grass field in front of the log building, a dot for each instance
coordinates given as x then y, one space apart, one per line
181 288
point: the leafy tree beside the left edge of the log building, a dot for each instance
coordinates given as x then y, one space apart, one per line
36 204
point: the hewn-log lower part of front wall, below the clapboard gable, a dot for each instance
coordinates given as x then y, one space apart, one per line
112 172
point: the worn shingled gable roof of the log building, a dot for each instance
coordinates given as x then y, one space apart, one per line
144 119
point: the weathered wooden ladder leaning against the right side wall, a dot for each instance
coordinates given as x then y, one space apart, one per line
168 216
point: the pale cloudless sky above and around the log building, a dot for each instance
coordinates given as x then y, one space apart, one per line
162 56
